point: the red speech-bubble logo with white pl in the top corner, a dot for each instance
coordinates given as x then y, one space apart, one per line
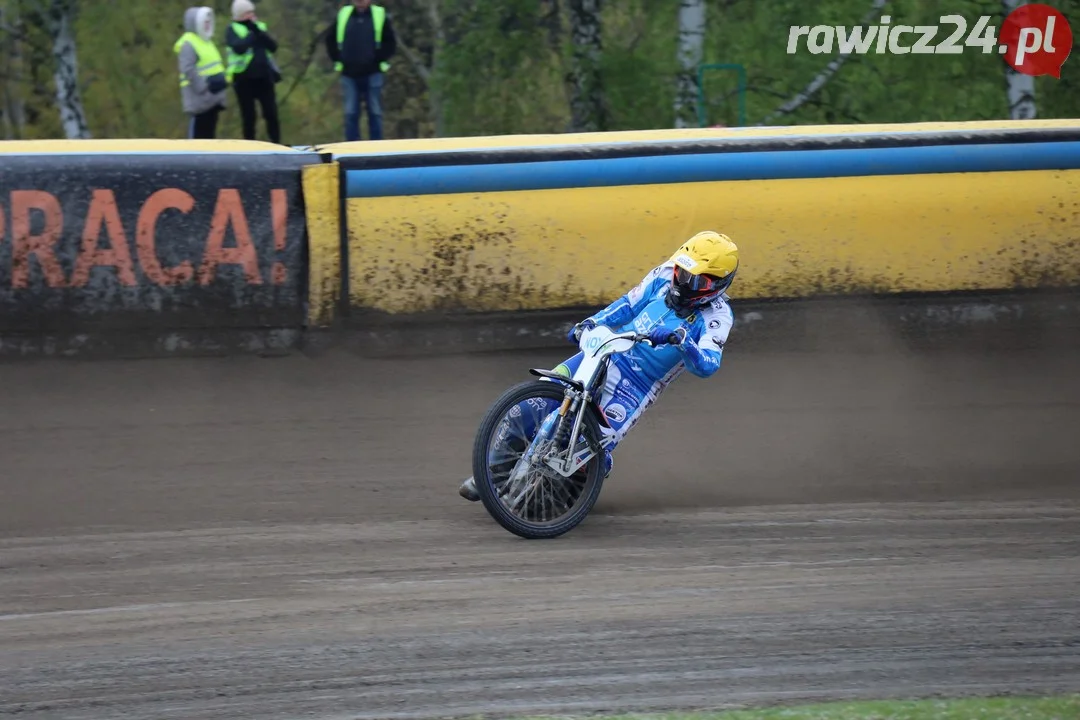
1036 39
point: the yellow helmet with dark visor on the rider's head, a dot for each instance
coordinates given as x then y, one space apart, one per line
705 267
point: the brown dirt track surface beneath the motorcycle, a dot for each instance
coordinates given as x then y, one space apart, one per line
282 538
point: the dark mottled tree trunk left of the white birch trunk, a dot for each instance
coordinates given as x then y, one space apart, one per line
588 108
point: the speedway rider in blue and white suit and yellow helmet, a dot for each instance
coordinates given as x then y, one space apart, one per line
687 296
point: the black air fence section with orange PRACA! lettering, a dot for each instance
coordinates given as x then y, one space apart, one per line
152 247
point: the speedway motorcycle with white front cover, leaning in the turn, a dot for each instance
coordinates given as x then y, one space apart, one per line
538 458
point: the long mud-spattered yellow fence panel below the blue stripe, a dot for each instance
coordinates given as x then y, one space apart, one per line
585 247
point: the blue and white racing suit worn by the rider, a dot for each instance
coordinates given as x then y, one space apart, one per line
638 377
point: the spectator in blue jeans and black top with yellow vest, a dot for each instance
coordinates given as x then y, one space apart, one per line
360 43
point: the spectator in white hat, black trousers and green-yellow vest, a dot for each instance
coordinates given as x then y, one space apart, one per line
253 70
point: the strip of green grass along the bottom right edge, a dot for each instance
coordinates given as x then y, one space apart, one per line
1065 708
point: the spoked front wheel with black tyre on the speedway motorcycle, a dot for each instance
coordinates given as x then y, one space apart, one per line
544 505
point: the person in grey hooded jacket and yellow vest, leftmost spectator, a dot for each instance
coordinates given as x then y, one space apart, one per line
204 80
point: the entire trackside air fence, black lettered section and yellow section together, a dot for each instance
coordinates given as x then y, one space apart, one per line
215 244
